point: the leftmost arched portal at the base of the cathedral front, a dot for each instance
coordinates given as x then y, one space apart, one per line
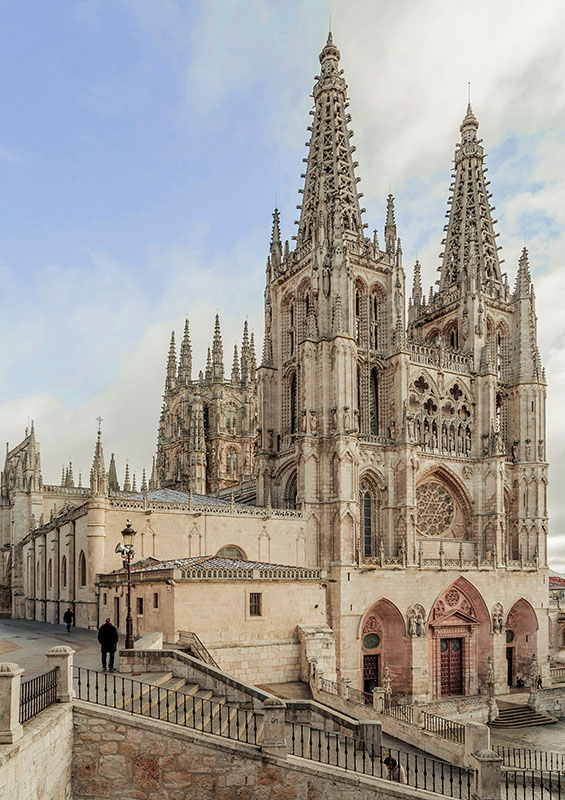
384 640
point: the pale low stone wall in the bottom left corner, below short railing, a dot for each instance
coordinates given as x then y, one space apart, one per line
38 765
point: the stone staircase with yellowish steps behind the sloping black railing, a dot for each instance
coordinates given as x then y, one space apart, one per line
163 696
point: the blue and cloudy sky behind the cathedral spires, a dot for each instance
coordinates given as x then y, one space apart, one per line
144 144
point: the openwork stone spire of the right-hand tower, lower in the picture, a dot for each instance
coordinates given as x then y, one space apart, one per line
470 258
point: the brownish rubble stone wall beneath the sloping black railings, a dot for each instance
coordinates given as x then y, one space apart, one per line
117 755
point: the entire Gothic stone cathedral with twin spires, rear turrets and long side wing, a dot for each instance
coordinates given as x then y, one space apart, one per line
394 442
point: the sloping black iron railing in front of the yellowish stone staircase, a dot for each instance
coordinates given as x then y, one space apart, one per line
168 705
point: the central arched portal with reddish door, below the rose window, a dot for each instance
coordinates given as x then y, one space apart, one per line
461 641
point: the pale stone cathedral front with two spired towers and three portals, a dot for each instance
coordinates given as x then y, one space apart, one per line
416 446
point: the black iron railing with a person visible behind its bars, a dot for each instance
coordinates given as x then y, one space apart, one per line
354 755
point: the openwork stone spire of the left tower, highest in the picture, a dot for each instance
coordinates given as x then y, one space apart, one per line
331 204
